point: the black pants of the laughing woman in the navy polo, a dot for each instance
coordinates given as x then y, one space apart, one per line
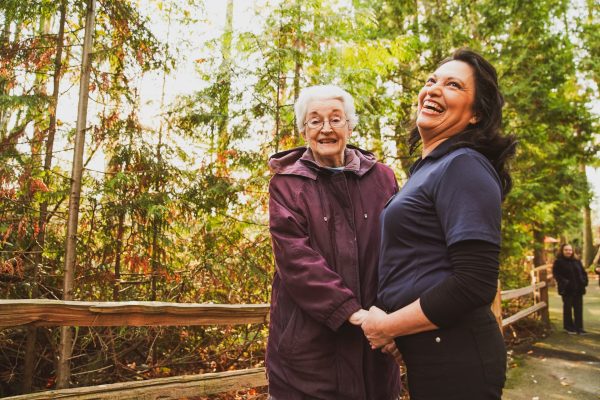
463 362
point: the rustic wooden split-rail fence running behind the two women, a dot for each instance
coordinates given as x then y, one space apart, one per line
19 313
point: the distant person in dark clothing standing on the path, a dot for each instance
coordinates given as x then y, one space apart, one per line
571 280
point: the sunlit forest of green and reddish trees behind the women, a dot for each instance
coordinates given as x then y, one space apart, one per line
187 99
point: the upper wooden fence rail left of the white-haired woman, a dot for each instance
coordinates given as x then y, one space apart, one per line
42 312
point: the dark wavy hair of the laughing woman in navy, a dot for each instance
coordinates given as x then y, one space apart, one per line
485 135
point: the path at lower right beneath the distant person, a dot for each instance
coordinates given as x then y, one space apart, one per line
561 366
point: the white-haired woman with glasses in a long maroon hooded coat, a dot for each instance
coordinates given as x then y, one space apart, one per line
324 208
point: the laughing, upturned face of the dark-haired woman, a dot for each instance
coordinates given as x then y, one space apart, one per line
446 102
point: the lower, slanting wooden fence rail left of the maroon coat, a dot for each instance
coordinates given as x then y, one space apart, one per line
163 388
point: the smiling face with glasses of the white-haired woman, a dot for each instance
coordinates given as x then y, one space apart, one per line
327 142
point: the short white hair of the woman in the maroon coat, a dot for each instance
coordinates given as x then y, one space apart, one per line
324 92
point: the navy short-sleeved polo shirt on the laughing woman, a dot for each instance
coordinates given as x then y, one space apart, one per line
451 196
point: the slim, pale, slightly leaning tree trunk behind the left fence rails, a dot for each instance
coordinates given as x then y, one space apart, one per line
66 338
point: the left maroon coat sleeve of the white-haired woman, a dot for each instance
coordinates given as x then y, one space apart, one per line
305 274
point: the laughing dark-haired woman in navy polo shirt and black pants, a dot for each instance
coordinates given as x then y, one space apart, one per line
440 247
